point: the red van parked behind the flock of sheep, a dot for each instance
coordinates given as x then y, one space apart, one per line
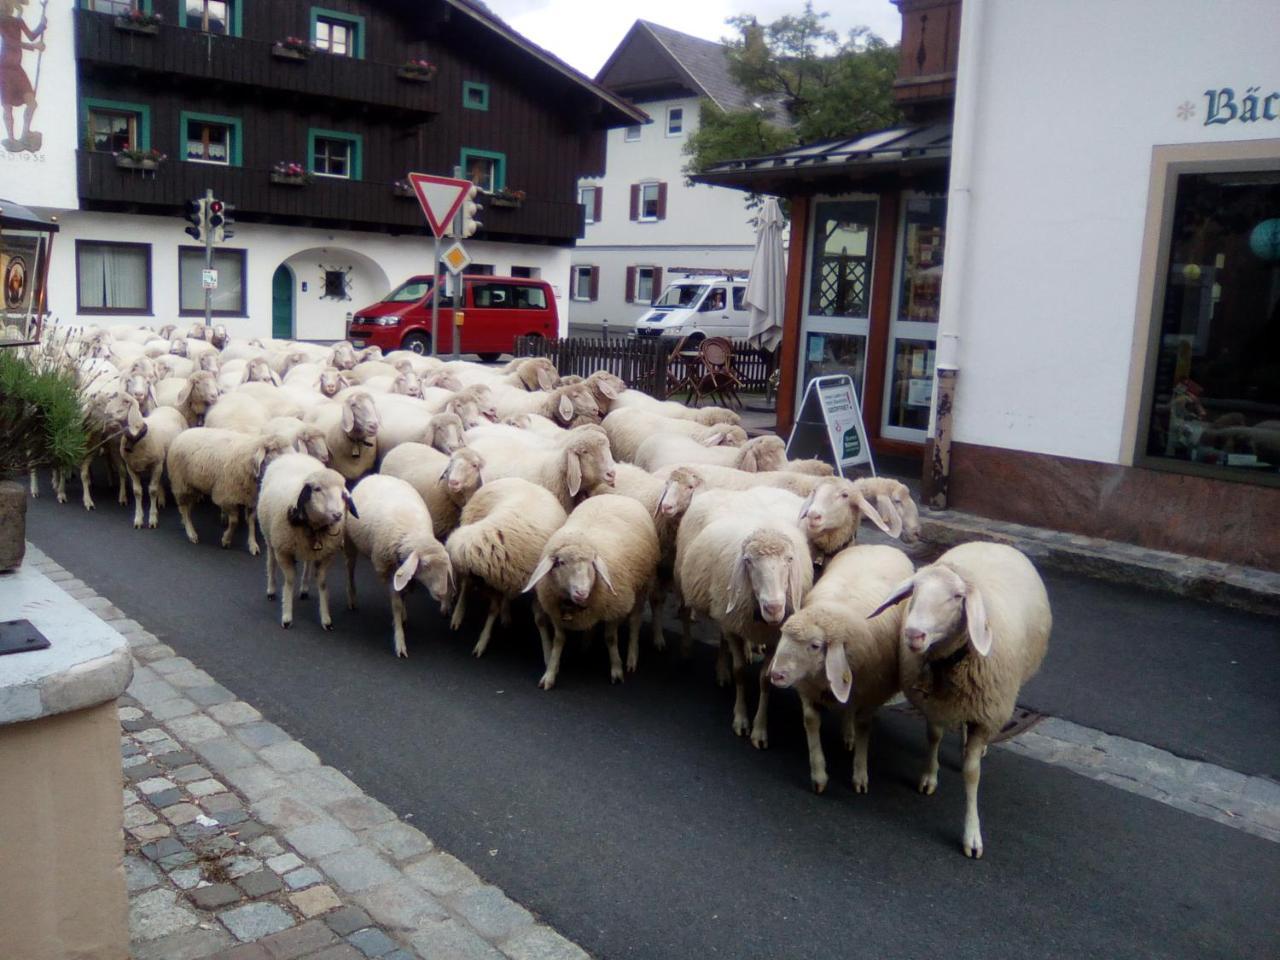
496 312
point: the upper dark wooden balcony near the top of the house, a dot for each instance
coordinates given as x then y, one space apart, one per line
184 54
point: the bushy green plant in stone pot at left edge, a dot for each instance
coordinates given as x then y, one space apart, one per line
42 426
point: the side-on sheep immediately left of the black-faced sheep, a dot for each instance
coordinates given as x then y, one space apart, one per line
226 467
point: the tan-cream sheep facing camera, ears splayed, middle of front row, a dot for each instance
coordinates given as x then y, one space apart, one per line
597 569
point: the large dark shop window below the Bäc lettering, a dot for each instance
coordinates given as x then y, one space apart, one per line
1213 395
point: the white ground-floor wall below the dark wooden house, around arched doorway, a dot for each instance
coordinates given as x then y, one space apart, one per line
378 264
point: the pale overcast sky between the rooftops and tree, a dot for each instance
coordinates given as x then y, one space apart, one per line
584 33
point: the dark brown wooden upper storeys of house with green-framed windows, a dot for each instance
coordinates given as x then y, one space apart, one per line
548 126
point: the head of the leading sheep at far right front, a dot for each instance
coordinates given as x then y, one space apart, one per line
943 607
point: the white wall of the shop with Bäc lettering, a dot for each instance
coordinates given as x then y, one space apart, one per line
1072 95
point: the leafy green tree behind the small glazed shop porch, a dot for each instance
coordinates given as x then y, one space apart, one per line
810 86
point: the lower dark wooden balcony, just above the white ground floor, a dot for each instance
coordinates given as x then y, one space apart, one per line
362 205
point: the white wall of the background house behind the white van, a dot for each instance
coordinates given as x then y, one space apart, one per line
705 226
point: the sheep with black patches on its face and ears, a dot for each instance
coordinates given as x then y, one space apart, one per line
303 508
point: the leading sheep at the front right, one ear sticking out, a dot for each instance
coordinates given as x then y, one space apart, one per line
976 629
